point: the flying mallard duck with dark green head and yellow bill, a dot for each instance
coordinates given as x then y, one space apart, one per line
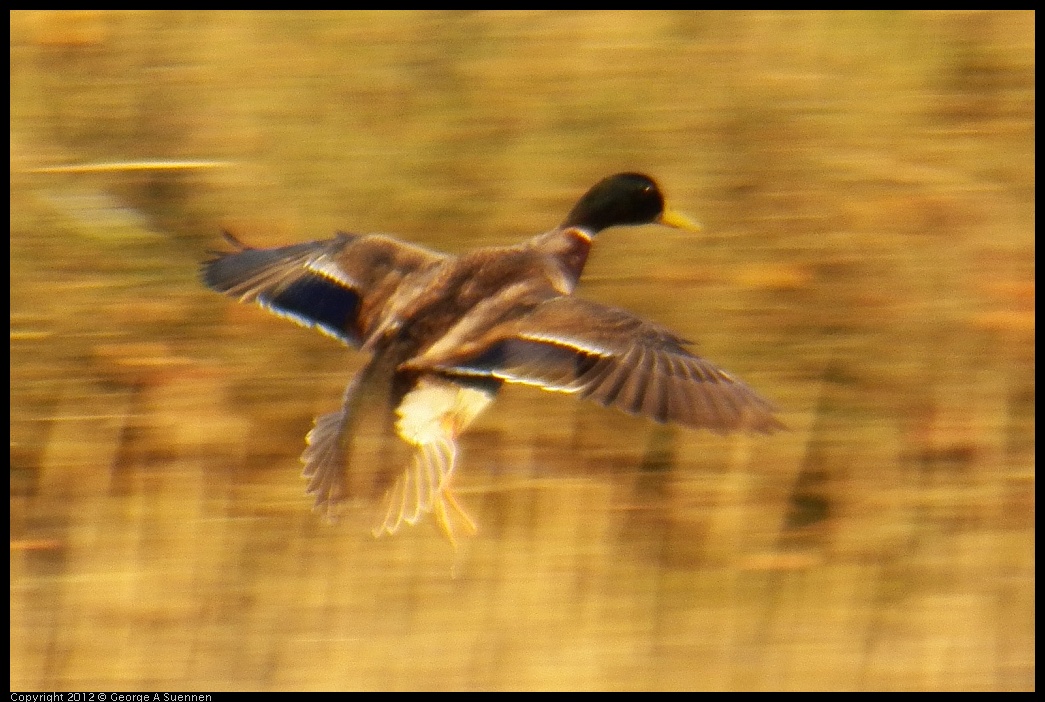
446 333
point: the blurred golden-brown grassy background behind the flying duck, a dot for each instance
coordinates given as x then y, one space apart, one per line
867 182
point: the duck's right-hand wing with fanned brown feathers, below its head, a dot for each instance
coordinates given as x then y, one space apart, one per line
613 358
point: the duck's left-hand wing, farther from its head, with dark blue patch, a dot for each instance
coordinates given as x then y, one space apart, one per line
320 285
